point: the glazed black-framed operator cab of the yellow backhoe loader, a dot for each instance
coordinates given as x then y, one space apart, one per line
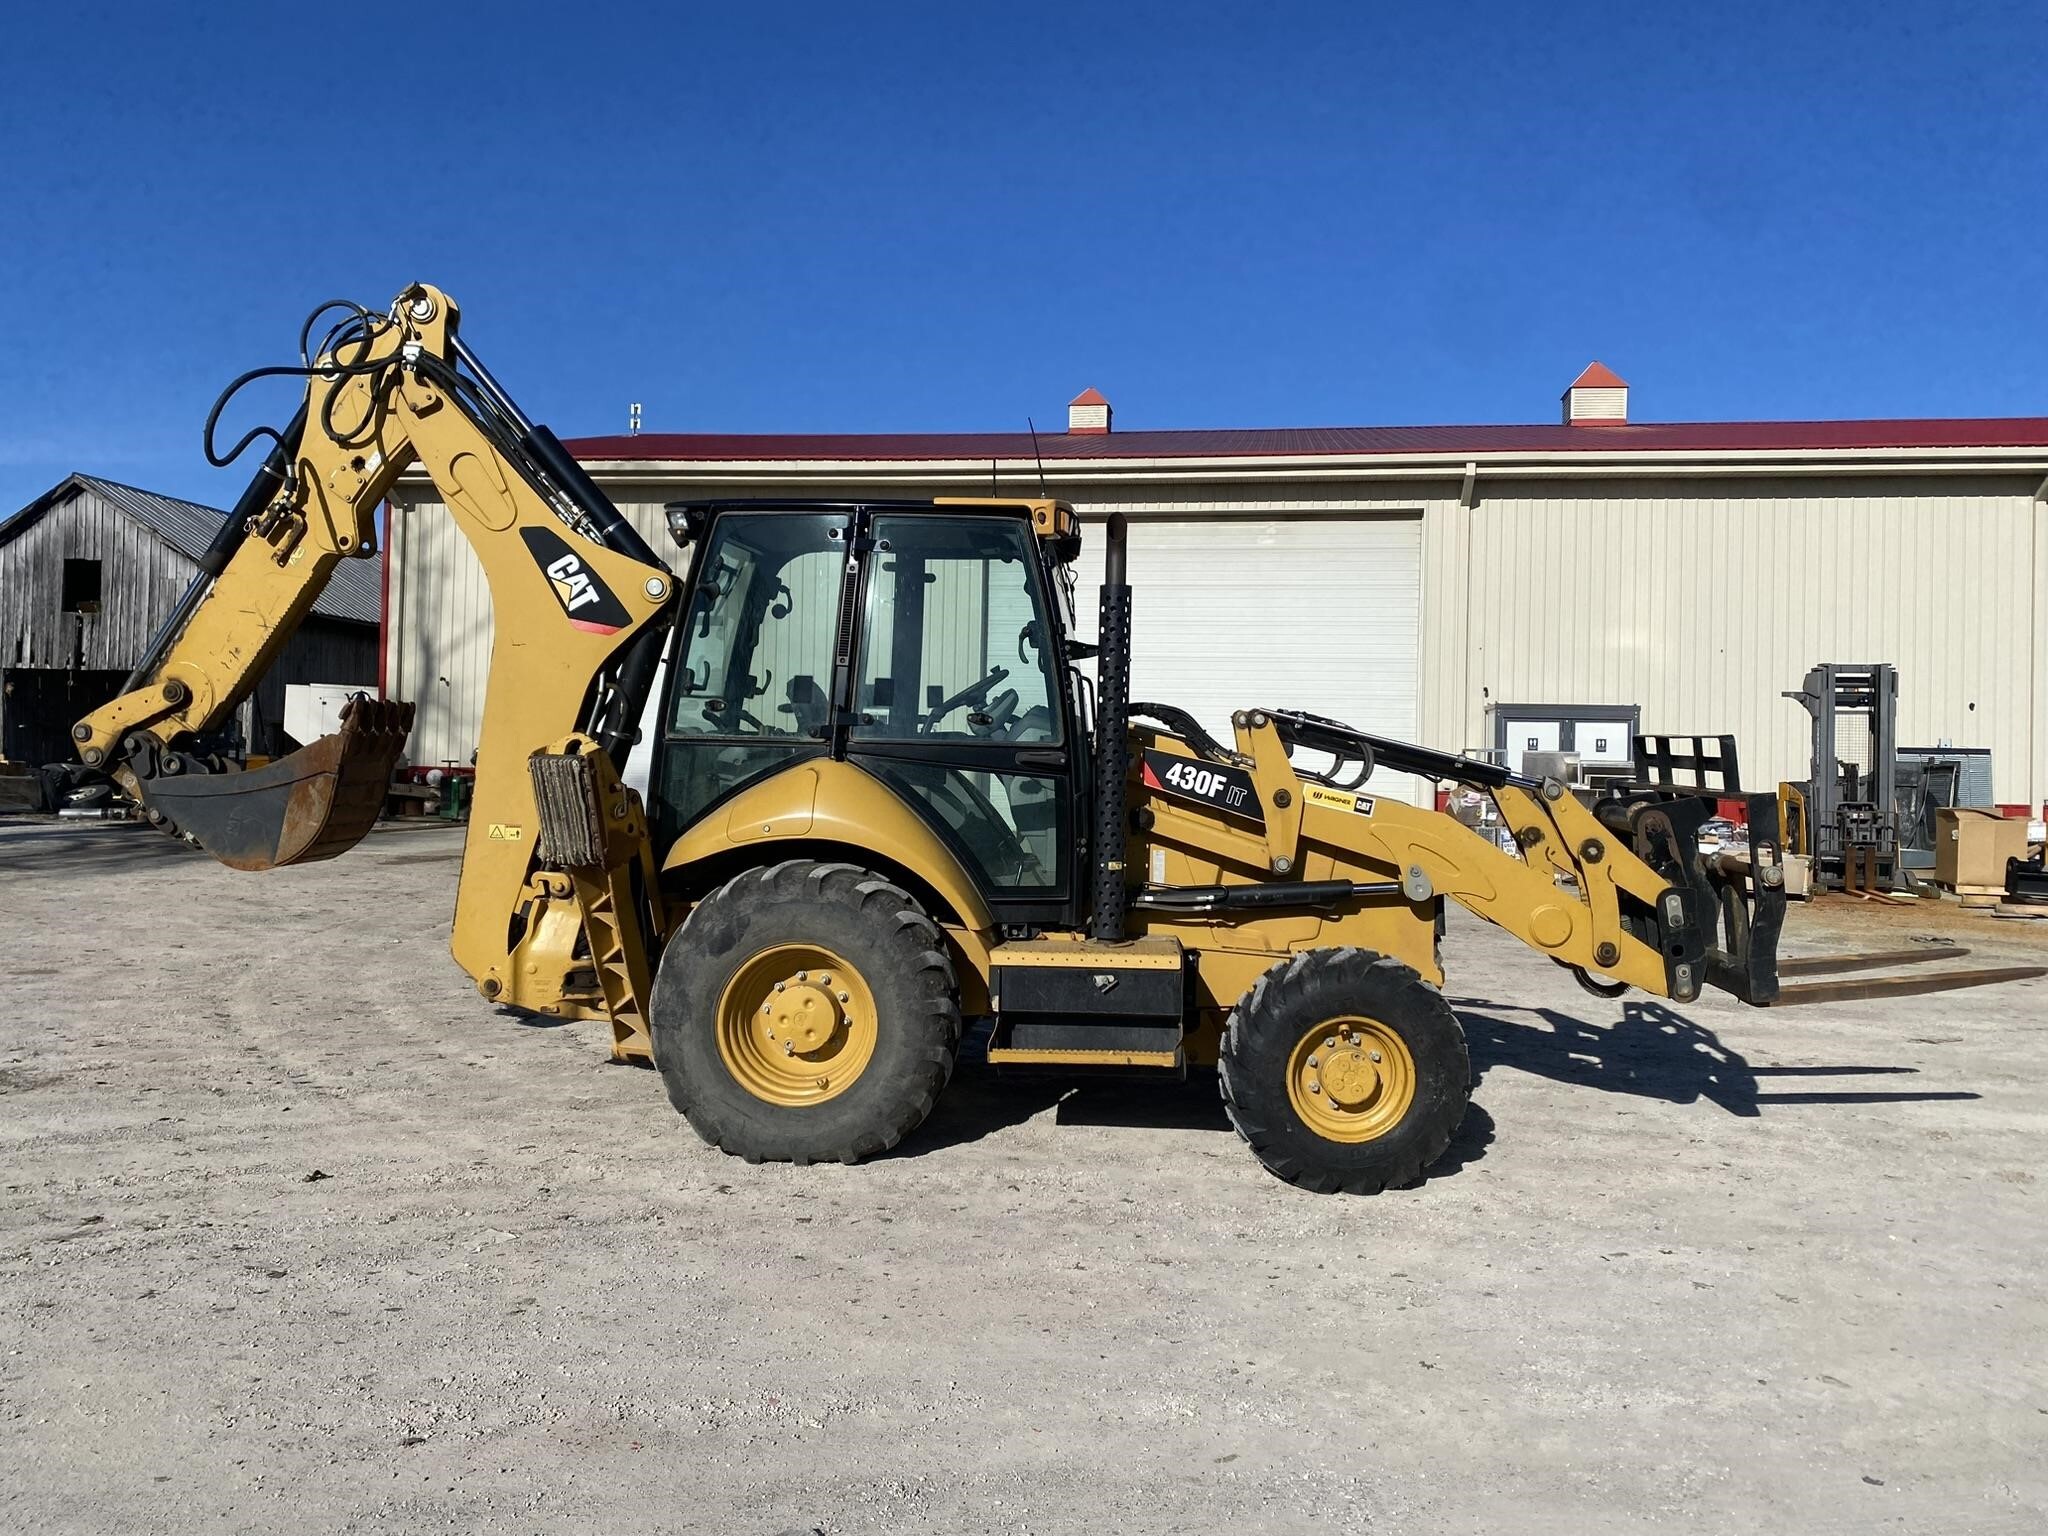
925 642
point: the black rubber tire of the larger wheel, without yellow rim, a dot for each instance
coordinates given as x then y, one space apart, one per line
884 937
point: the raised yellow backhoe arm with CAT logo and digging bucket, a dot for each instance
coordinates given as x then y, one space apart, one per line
581 609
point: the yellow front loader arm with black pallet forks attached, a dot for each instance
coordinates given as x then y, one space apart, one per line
1619 890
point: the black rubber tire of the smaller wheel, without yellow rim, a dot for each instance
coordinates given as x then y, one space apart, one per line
1283 1017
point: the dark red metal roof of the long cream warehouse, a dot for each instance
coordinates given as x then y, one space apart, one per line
1334 441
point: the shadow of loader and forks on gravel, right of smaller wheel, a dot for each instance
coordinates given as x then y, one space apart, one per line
1654 1052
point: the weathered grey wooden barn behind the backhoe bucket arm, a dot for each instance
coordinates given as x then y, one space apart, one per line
87 574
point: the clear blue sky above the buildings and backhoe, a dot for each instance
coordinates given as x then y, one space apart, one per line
951 218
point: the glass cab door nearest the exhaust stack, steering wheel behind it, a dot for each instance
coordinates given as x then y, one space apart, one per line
959 701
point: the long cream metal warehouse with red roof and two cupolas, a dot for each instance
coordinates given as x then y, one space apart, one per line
1461 587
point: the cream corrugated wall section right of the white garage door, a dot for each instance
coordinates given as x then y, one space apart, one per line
1703 601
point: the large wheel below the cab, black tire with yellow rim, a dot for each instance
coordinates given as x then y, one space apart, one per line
806 1013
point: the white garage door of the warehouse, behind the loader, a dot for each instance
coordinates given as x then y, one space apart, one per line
1316 613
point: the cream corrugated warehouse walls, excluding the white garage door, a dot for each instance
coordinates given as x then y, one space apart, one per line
1697 599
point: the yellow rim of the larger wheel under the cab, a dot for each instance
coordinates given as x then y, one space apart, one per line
798 1025
